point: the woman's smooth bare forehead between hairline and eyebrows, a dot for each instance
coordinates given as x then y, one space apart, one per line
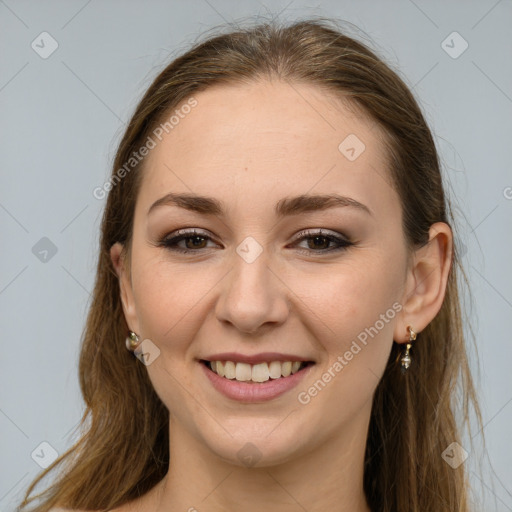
268 138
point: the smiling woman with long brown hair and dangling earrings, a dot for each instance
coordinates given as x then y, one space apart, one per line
276 251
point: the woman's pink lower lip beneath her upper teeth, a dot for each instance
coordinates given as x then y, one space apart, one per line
254 391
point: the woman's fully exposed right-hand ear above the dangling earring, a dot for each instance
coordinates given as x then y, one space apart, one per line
426 282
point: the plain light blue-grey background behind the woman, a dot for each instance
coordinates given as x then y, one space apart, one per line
62 116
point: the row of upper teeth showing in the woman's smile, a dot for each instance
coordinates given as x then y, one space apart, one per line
261 372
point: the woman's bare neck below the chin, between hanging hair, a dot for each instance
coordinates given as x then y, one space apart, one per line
328 477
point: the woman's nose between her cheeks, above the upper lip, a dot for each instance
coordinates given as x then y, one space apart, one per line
253 297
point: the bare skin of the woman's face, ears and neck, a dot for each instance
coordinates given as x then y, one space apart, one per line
249 147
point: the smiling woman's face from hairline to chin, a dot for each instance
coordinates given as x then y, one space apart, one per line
266 269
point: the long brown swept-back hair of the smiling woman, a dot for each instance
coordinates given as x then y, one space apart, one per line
123 450
